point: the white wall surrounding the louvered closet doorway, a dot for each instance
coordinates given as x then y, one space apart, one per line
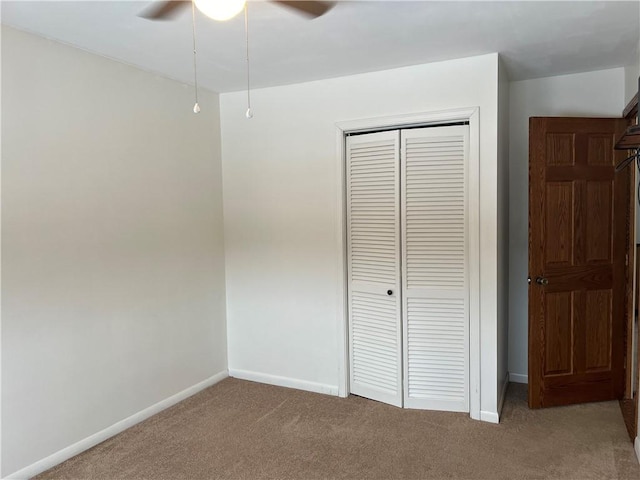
281 188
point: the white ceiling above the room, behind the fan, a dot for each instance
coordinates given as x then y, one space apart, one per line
536 39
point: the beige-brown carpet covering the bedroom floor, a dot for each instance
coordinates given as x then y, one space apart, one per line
244 430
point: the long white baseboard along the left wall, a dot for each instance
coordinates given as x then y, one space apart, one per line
99 437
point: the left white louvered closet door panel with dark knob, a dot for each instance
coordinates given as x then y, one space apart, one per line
373 238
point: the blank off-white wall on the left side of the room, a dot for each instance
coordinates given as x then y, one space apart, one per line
112 244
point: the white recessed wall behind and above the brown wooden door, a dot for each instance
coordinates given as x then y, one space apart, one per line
597 94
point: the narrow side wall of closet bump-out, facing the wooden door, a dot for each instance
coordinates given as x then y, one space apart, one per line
503 231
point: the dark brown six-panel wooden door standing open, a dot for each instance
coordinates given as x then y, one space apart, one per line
577 248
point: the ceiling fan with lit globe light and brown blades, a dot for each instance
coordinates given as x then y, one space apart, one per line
225 9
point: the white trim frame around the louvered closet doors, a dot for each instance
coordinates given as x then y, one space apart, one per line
471 115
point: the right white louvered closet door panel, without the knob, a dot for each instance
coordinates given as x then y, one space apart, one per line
435 286
